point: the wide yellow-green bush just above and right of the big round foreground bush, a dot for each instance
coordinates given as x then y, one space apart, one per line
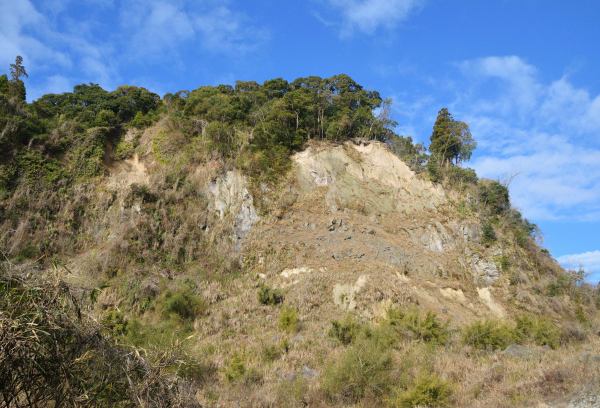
412 324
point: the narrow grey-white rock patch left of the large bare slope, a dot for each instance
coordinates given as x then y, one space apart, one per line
231 197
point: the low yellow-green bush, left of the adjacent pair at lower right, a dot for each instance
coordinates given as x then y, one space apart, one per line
488 335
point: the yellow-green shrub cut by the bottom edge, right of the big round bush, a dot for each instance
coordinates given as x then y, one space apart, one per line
427 391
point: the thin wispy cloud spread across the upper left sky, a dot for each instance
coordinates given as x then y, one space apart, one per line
97 41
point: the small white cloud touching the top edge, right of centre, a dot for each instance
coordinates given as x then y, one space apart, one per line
367 16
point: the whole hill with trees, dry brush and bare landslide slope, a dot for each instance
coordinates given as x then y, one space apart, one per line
272 244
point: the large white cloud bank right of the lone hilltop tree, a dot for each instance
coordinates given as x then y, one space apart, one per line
542 135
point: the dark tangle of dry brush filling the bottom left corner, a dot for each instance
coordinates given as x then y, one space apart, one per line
54 355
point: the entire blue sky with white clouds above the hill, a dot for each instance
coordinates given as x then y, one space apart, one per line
522 73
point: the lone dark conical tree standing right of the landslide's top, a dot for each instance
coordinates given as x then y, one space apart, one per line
451 140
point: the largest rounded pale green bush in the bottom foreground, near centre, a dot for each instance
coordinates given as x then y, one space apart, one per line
363 370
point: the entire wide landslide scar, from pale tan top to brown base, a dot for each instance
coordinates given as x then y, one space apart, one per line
360 212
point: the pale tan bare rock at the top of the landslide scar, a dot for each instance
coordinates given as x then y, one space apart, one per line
367 177
